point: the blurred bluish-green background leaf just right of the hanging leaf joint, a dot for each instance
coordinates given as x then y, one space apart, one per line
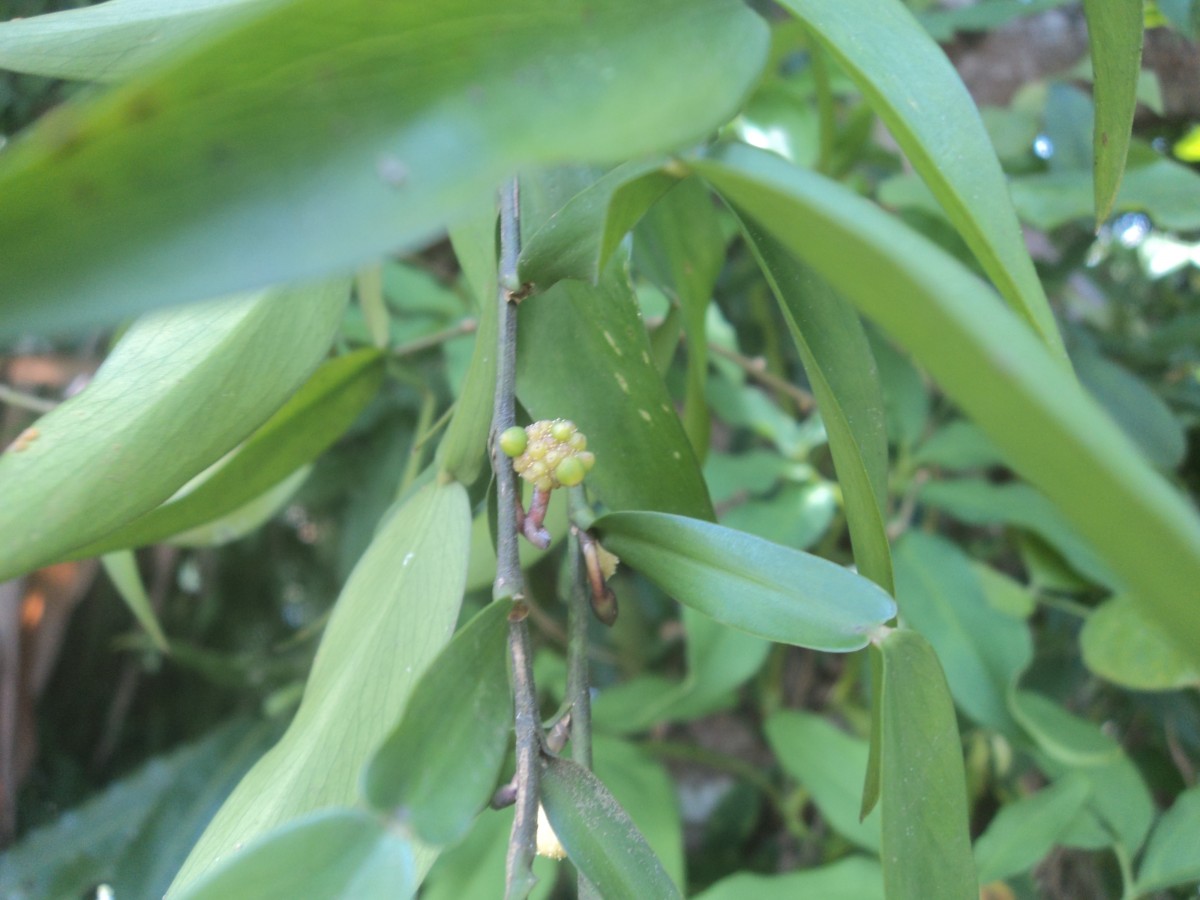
982 651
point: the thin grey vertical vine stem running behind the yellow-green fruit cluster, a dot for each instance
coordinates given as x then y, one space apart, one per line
509 581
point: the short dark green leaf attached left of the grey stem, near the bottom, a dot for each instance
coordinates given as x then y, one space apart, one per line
439 767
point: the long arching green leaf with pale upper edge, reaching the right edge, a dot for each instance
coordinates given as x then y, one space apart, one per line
991 367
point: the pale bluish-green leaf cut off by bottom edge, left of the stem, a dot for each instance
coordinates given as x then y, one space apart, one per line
331 855
